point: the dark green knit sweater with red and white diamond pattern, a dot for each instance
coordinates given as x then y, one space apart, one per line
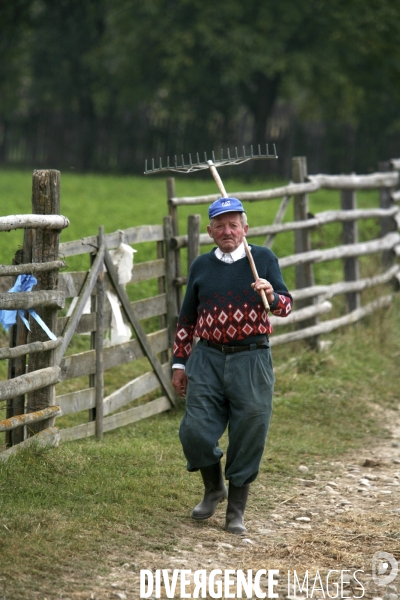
221 306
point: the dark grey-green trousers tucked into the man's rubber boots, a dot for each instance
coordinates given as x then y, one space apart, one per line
227 390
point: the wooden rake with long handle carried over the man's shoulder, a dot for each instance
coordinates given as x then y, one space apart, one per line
191 167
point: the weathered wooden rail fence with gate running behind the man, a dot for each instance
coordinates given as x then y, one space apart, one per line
30 412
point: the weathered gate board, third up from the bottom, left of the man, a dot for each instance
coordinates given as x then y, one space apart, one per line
78 365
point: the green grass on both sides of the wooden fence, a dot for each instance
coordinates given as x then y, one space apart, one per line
68 514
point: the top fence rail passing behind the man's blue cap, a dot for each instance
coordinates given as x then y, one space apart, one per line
271 194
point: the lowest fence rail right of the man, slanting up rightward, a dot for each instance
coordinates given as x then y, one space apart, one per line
328 326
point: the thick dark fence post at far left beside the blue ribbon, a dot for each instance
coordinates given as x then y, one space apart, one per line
45 242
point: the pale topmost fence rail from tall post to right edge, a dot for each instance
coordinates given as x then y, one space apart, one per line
356 182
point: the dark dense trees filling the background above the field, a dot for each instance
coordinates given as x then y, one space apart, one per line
103 83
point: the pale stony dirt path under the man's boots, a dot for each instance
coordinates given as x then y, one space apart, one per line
336 517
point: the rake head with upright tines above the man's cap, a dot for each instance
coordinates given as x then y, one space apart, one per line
198 166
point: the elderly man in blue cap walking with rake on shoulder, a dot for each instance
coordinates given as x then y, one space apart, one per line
227 377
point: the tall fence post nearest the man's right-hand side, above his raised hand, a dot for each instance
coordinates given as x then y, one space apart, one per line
304 273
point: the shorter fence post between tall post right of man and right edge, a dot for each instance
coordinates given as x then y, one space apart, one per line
351 265
